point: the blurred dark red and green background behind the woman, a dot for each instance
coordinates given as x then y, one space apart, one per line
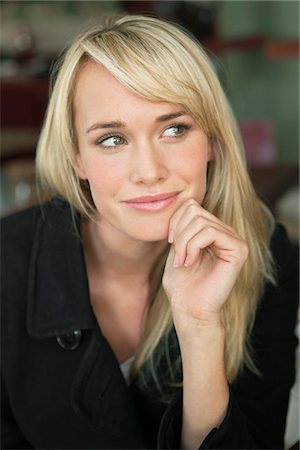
253 44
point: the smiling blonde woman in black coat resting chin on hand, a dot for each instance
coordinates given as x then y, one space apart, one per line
152 303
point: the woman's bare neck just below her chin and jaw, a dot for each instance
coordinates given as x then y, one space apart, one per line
118 256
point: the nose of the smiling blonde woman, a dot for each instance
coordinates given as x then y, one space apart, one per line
148 165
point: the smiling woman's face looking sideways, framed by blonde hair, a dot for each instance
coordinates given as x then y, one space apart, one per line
142 159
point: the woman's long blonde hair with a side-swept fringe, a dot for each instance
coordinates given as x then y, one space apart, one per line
161 62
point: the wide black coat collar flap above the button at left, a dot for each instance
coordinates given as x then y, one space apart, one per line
58 292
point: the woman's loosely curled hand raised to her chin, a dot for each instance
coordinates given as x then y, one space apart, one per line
205 259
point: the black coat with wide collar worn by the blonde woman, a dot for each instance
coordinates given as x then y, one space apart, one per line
62 385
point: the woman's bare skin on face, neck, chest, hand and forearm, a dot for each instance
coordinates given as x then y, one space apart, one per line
147 156
